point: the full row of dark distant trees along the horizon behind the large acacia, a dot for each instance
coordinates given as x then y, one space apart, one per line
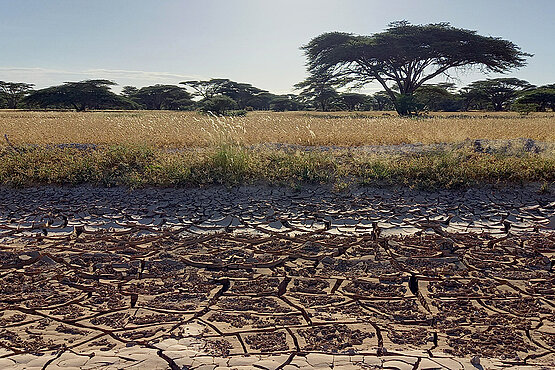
222 96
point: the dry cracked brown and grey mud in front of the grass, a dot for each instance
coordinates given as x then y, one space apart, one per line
273 278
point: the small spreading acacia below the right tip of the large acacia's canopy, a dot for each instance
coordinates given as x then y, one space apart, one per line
498 92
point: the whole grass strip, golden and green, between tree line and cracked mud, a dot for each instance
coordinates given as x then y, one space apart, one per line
135 148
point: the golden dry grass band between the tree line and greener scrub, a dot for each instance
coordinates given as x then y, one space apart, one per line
181 129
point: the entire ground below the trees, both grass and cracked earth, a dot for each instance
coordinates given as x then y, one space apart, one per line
350 240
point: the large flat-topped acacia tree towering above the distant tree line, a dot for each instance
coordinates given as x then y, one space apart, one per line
407 56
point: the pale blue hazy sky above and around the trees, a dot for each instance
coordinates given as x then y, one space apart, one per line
143 42
